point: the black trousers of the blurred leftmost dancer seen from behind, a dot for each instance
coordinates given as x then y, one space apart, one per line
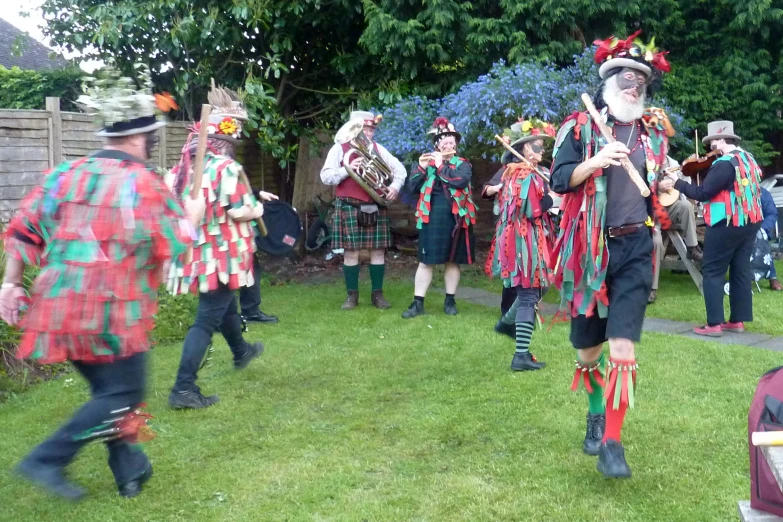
113 386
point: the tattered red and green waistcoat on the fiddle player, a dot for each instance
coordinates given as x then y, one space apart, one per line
741 205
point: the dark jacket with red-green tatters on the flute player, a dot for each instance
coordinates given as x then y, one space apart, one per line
455 175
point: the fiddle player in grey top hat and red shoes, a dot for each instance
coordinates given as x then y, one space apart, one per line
733 215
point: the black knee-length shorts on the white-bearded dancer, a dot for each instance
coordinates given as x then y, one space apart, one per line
628 283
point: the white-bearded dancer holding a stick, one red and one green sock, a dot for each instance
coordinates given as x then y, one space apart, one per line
604 252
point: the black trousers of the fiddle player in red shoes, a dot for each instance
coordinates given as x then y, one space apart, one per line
728 247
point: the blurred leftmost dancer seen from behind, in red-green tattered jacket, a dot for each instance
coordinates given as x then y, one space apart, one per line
100 228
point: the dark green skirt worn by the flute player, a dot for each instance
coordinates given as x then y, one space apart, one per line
437 239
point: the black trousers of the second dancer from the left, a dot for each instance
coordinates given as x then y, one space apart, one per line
217 310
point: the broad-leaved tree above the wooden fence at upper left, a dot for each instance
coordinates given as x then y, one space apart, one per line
299 60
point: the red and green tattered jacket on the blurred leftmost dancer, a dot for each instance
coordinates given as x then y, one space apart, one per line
100 227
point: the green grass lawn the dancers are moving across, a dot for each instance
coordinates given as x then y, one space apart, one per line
363 416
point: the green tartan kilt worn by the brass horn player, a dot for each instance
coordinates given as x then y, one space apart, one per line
349 235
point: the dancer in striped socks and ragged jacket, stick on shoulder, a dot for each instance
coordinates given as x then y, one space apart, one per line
520 252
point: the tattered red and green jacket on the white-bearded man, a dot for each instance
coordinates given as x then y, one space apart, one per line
581 253
